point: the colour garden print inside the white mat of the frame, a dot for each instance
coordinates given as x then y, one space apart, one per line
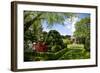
46 40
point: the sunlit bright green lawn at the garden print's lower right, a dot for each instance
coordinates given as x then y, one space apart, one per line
75 53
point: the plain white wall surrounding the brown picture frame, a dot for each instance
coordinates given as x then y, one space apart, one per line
5 38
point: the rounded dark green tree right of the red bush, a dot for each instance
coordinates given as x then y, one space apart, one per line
54 41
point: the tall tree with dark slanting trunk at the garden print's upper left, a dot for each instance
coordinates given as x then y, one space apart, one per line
32 25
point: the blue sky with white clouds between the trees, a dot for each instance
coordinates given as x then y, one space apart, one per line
68 28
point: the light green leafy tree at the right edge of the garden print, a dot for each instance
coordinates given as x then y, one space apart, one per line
82 32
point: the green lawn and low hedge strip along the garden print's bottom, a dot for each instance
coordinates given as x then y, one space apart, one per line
72 52
